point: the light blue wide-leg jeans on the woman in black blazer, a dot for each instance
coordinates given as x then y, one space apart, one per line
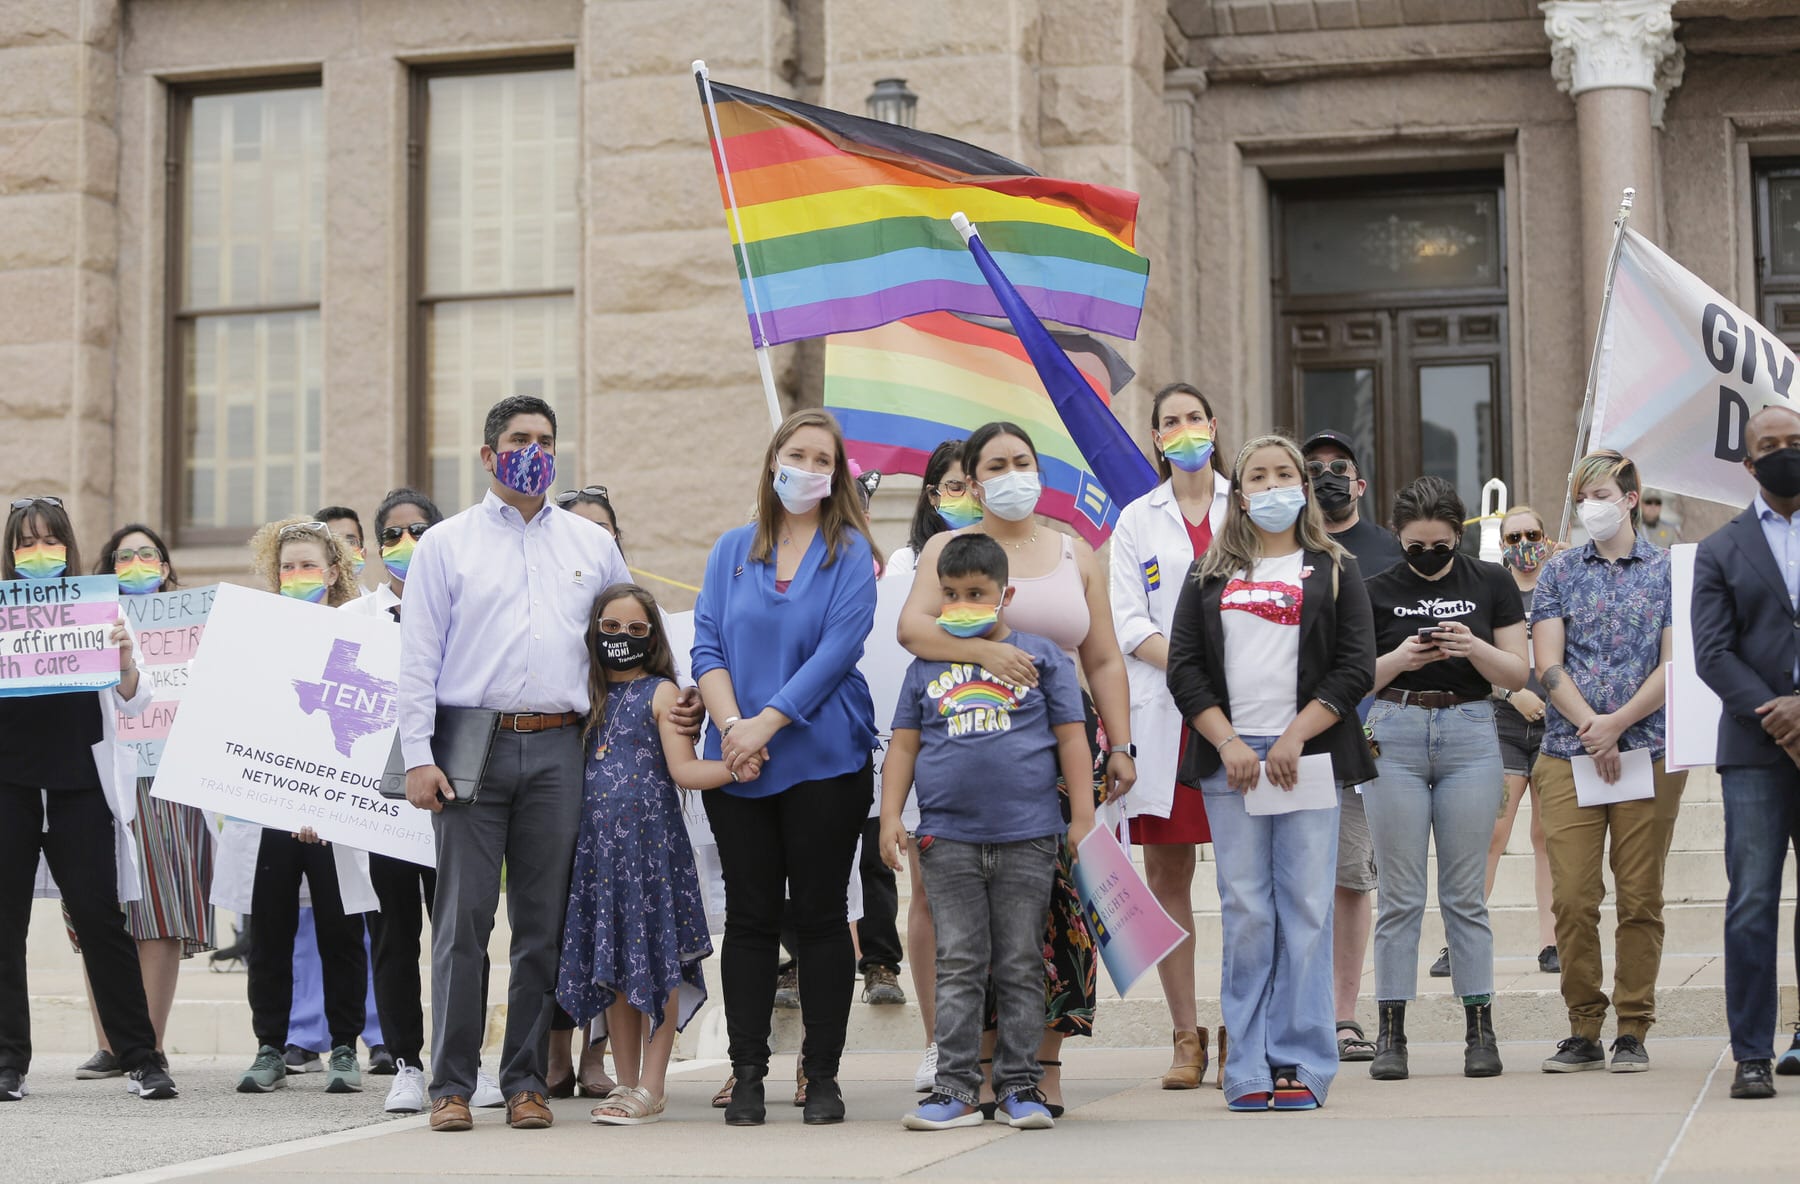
1277 879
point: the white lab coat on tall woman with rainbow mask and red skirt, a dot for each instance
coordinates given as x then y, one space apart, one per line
1151 557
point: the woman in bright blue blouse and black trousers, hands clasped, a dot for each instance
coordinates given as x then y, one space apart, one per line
784 611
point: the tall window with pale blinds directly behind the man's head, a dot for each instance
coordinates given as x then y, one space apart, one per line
496 256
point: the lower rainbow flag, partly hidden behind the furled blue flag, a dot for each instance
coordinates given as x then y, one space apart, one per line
904 388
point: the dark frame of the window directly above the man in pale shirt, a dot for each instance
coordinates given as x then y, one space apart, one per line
420 301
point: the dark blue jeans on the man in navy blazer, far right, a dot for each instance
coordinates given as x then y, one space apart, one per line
1761 823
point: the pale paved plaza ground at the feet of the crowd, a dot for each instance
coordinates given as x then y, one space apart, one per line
1673 1126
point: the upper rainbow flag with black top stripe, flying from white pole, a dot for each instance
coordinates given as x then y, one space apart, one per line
847 226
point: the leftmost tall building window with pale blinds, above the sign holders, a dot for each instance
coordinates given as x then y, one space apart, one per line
246 260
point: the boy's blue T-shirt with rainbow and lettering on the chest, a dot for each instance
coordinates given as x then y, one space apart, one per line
987 764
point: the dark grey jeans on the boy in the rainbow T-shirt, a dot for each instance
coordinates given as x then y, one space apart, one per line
989 904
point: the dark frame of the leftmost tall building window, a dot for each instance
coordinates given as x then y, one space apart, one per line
175 316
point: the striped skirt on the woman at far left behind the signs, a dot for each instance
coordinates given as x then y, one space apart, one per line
175 874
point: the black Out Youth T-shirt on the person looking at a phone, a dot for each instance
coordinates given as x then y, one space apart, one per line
1473 593
